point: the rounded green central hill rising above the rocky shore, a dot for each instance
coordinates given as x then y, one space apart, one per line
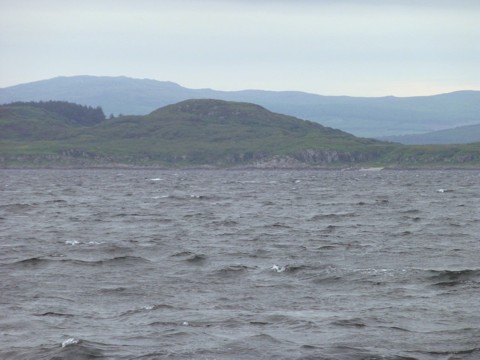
217 131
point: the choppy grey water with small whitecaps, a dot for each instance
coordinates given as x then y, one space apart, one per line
239 264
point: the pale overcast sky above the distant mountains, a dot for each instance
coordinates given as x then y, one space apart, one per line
330 47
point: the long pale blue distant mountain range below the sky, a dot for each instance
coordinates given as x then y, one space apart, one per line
366 117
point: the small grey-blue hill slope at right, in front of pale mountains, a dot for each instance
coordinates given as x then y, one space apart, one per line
458 135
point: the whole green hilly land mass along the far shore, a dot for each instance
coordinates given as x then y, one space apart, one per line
199 133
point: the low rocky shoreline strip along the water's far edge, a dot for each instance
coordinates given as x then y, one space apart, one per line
304 160
